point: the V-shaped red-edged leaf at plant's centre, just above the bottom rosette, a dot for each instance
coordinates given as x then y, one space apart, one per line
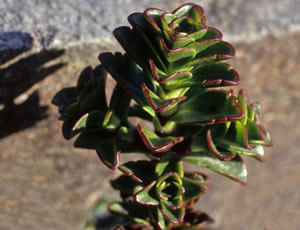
155 143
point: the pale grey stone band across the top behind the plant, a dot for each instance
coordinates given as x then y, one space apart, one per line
62 23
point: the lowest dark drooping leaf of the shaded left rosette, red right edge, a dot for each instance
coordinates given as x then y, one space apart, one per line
108 153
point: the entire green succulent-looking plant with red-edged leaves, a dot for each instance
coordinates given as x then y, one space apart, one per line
172 68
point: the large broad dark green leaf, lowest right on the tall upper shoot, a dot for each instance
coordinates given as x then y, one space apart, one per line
208 108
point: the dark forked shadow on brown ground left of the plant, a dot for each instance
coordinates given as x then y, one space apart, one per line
15 80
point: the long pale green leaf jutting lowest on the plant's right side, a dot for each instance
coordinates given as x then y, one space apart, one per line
233 169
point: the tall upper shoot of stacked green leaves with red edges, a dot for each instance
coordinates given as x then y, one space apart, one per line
167 55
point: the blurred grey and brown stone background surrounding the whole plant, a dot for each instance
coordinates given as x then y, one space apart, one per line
44 44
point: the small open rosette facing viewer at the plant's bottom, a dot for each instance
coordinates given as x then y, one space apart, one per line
158 189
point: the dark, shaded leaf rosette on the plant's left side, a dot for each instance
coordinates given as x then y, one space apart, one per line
85 111
